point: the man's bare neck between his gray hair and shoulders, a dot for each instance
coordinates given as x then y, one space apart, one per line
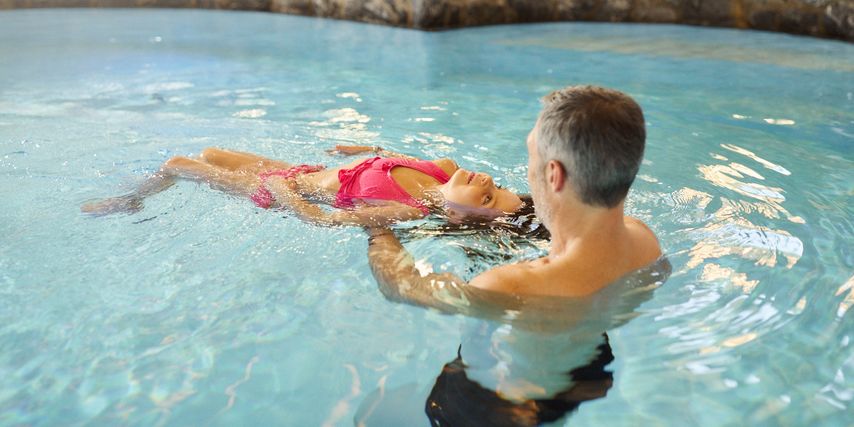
575 228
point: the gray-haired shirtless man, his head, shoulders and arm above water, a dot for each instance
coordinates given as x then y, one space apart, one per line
583 154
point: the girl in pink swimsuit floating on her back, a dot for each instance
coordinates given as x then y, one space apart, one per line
376 191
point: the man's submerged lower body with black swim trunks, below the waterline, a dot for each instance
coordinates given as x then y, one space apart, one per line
521 361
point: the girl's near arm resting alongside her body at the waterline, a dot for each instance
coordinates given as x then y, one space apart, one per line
370 216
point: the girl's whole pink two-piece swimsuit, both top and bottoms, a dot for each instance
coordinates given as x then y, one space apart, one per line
369 180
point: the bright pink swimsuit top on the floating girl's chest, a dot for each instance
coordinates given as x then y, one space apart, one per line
372 180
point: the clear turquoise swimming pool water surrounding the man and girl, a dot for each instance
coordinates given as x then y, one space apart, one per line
204 309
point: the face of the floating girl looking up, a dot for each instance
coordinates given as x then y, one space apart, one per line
477 190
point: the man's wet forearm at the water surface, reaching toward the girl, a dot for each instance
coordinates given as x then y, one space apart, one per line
399 280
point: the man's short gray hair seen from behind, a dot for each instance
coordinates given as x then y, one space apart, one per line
598 135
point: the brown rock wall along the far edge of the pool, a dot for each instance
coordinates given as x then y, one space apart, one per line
820 18
